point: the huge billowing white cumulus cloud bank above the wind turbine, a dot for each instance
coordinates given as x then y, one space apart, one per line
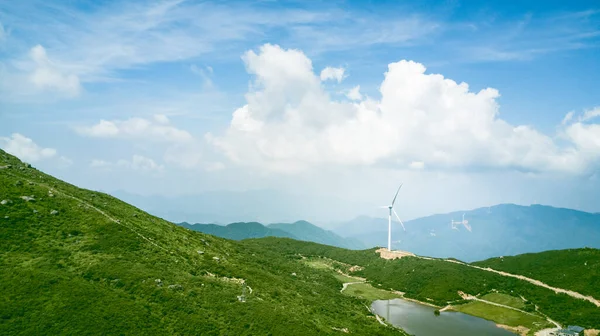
290 123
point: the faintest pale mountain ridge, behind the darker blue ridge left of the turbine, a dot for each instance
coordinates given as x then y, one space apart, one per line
264 206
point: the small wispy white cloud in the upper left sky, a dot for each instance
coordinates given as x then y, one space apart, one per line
48 76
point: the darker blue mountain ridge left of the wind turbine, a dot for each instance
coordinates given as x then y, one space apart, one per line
300 230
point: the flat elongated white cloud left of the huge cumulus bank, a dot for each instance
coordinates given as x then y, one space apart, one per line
158 129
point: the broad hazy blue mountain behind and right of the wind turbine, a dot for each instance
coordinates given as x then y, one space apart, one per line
505 229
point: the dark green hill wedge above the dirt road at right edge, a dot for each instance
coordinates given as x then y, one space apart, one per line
574 269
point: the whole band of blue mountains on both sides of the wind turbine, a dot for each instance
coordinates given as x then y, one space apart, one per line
501 230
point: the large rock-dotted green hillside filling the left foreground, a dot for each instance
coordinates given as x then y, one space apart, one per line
73 261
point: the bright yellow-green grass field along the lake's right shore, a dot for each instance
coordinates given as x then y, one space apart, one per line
502 315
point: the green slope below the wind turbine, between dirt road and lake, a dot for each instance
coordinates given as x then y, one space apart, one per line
438 281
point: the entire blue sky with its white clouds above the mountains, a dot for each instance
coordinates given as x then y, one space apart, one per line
140 96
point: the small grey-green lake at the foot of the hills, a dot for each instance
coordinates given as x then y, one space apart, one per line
419 320
